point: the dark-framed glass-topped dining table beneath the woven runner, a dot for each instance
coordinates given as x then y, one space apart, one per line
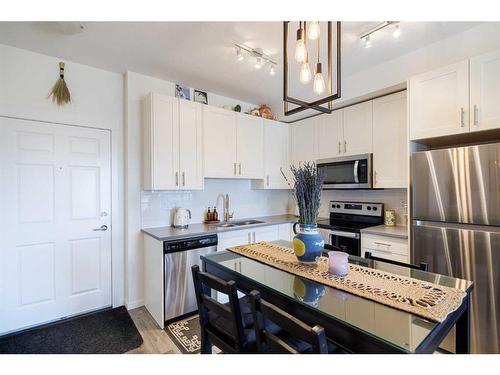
357 324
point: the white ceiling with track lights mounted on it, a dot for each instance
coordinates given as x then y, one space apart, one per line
201 55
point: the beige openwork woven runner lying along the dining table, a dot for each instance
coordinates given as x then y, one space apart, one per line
430 301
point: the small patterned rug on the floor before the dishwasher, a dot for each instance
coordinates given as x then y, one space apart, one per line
185 334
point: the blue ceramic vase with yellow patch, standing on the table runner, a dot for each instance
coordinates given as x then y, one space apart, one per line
307 243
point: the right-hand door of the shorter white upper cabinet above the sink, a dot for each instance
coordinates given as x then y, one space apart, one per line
249 146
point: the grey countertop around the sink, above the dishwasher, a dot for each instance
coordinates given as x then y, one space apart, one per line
200 229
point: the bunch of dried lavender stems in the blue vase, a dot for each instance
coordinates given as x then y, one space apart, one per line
307 190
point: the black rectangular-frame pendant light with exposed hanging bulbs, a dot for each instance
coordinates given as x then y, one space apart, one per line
312 31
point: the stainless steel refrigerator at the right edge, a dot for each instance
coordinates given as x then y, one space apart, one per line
456 227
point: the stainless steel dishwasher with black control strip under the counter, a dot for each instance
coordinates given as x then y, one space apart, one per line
179 257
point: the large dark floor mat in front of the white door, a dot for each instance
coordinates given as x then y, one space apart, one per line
105 332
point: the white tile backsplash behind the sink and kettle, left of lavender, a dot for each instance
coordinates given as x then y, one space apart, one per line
157 207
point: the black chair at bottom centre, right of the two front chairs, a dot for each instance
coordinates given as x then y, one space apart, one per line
290 336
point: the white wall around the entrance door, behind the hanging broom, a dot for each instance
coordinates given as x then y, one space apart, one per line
97 101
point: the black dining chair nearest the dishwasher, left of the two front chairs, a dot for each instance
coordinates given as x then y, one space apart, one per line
228 326
